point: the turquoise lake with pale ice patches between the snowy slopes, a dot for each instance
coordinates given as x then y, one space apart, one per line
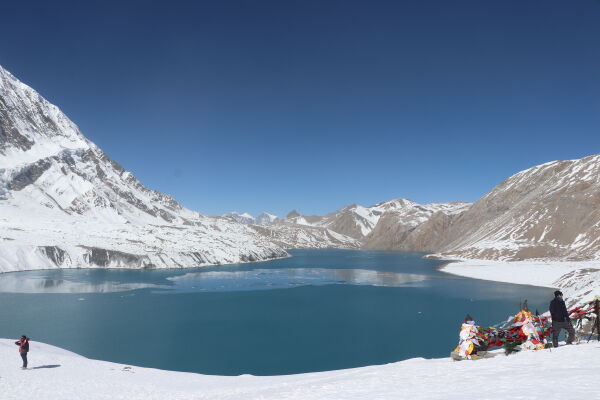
318 310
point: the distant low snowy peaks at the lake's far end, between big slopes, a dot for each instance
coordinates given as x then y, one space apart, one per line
383 226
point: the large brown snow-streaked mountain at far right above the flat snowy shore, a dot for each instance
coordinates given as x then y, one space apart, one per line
550 211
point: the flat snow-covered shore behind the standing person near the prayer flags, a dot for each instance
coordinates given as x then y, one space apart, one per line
579 280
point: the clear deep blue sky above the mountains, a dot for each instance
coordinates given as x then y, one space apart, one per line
275 105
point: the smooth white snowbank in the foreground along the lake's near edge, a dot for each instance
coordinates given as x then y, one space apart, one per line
567 372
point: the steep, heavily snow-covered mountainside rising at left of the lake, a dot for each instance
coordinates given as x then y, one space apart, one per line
64 203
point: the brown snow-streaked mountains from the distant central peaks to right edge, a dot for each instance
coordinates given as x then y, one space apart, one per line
550 211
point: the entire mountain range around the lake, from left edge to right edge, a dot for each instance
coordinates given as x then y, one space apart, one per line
64 203
